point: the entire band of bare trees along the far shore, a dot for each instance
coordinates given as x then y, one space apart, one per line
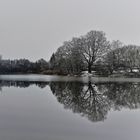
91 52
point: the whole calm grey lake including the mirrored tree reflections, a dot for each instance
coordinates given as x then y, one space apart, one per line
37 107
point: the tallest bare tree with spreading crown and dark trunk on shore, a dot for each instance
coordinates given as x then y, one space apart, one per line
93 46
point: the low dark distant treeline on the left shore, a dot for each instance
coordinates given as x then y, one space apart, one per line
22 66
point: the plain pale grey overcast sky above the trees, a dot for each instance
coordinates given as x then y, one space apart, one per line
34 29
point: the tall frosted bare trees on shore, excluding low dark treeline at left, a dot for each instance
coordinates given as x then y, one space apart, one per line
93 52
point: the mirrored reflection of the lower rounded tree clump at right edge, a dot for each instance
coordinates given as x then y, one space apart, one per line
124 95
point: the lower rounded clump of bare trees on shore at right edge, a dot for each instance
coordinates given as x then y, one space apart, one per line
125 59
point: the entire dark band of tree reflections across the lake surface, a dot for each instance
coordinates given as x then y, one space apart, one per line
91 100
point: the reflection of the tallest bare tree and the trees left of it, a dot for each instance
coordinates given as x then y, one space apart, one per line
84 99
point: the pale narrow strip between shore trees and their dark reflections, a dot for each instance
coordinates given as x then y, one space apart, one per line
57 78
